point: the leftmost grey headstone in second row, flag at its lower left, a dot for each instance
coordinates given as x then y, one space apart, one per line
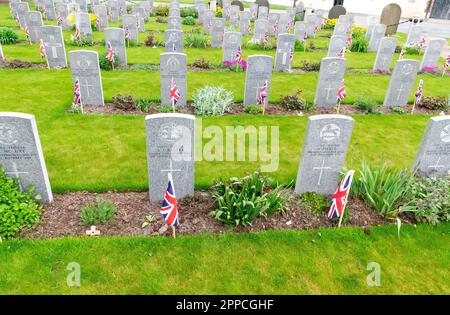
85 69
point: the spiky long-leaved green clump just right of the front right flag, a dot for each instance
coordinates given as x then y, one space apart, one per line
381 188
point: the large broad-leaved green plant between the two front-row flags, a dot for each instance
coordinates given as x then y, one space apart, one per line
240 201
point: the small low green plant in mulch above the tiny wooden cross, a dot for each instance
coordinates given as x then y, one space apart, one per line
100 211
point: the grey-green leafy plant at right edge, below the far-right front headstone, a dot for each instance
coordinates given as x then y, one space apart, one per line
429 199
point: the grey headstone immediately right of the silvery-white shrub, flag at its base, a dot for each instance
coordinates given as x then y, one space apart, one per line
259 70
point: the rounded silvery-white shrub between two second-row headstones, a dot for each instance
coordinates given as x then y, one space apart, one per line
212 100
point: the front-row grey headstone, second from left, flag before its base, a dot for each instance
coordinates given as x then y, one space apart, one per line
170 149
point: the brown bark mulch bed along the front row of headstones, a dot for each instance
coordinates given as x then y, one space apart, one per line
62 217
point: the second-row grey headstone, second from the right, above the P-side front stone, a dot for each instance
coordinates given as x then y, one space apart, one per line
331 73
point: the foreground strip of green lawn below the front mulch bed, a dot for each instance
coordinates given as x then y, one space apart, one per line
282 262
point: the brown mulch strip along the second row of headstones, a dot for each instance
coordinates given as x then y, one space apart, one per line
271 109
